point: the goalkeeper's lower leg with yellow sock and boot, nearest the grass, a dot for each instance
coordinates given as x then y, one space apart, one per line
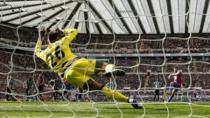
91 84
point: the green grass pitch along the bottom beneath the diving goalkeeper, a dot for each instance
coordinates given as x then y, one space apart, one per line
102 110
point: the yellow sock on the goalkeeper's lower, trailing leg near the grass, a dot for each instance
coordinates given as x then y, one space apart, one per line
114 94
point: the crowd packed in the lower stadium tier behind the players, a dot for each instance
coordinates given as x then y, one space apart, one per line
24 68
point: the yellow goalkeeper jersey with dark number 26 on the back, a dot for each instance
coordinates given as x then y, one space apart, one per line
58 55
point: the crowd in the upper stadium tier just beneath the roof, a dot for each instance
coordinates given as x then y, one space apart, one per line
98 44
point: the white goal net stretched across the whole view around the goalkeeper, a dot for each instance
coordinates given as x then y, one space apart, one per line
142 37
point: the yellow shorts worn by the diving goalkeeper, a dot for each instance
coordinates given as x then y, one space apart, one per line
80 71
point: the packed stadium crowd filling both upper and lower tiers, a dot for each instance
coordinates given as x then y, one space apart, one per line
22 66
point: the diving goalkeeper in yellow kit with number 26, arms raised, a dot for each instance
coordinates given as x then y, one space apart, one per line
73 69
